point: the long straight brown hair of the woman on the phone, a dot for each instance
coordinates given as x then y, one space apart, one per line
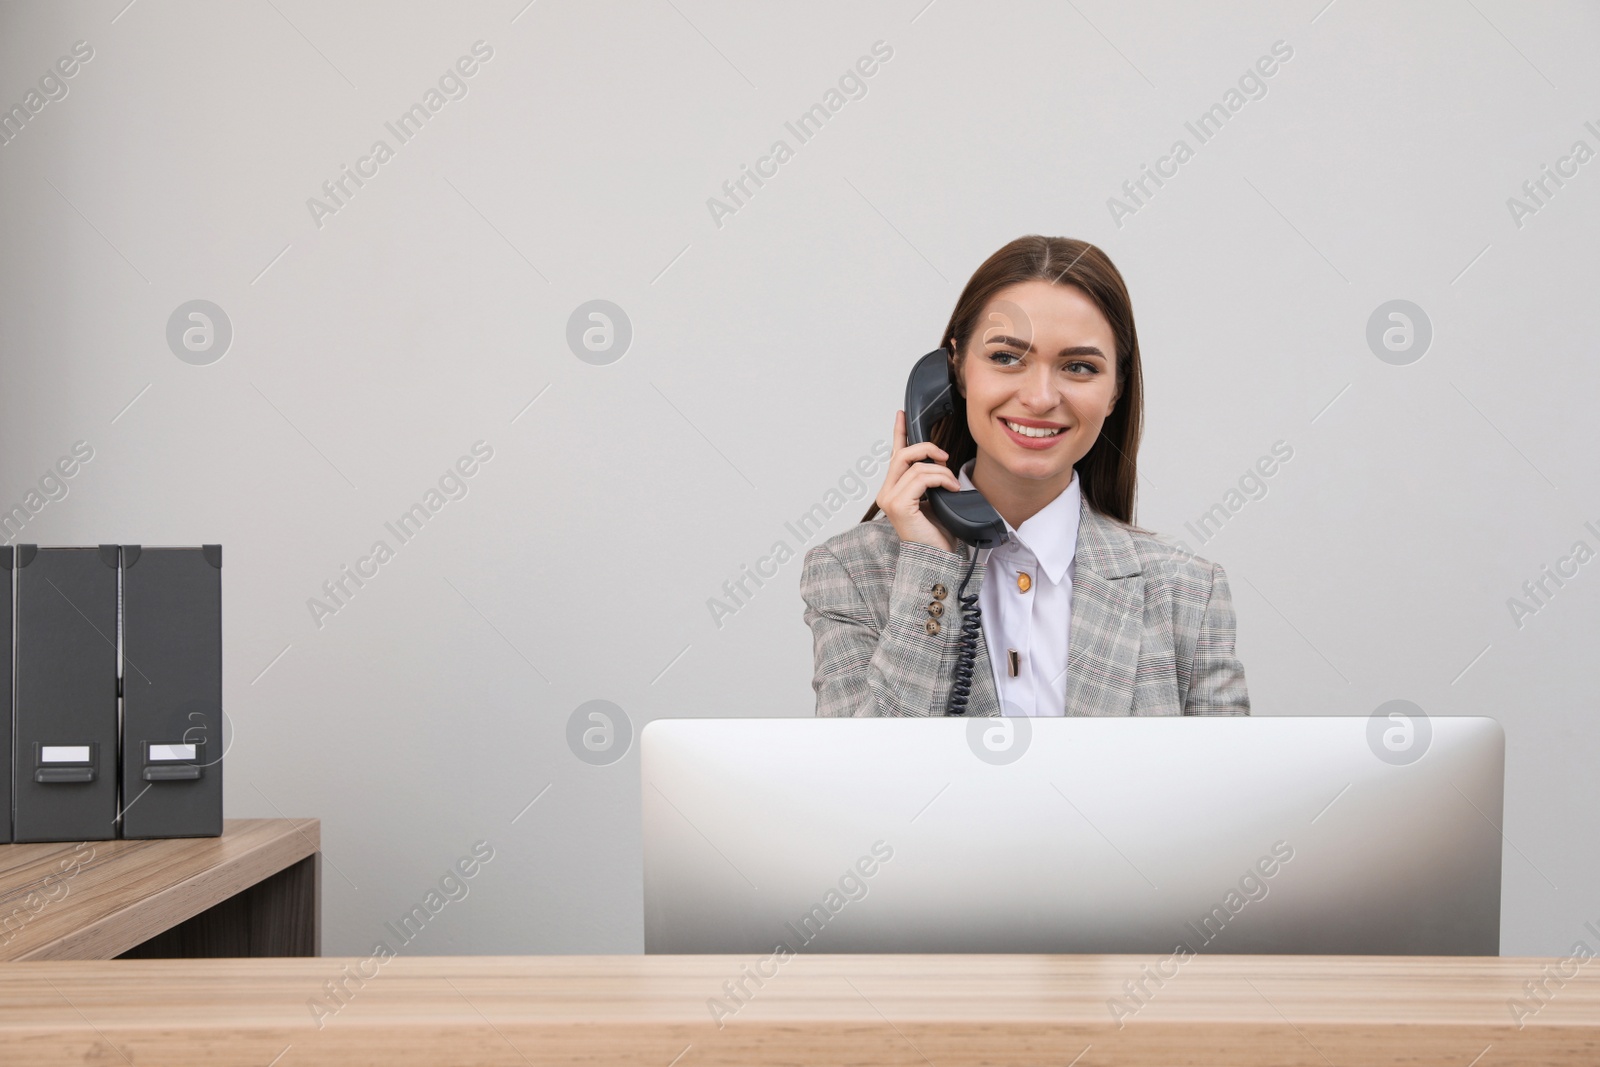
1108 474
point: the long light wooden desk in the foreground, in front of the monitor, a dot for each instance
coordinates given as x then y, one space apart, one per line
521 1012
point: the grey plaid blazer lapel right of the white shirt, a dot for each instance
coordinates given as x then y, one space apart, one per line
1108 618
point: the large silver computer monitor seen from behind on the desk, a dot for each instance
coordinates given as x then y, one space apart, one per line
1148 836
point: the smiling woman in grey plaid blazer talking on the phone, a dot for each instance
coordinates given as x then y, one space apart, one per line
1087 613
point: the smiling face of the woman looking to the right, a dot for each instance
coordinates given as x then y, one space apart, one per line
1041 359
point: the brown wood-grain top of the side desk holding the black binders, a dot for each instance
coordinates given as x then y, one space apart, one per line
97 900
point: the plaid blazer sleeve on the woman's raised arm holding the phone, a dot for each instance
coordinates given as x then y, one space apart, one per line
865 669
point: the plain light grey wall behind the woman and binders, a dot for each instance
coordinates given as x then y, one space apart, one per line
374 346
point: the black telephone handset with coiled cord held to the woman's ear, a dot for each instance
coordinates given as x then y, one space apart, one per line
966 513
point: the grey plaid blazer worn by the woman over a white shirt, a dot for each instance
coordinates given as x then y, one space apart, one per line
1153 626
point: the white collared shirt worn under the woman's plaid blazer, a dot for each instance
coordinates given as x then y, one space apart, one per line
1036 623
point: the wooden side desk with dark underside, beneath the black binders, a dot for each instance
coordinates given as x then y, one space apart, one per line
249 893
